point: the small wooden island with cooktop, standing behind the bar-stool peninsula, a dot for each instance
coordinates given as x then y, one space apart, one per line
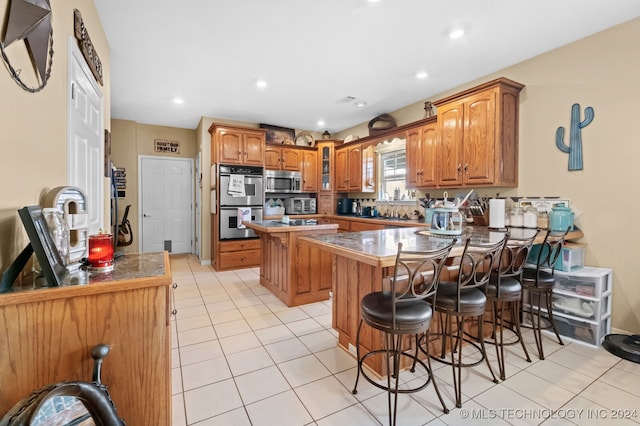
296 273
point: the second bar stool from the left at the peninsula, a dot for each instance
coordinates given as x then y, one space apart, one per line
465 298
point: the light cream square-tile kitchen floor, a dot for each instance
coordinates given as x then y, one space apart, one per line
242 357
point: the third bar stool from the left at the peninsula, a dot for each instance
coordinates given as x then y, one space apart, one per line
504 288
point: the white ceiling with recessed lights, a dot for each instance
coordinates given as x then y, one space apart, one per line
317 55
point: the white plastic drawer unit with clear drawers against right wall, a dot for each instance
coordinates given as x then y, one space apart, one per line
582 304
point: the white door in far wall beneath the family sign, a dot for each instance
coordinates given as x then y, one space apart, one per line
166 193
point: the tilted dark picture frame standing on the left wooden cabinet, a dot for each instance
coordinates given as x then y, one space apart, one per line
42 244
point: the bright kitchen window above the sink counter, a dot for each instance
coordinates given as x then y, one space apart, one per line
392 170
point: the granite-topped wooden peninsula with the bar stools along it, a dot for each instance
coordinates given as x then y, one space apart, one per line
362 259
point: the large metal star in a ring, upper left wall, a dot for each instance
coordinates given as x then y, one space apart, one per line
30 20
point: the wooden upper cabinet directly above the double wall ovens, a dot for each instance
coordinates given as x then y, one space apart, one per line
237 145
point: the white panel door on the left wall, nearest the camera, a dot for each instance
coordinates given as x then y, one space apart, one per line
86 137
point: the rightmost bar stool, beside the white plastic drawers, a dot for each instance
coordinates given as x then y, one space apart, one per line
538 282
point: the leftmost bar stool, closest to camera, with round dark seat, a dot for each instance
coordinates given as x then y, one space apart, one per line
399 310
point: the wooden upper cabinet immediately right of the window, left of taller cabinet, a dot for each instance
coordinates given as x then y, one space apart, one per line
421 156
